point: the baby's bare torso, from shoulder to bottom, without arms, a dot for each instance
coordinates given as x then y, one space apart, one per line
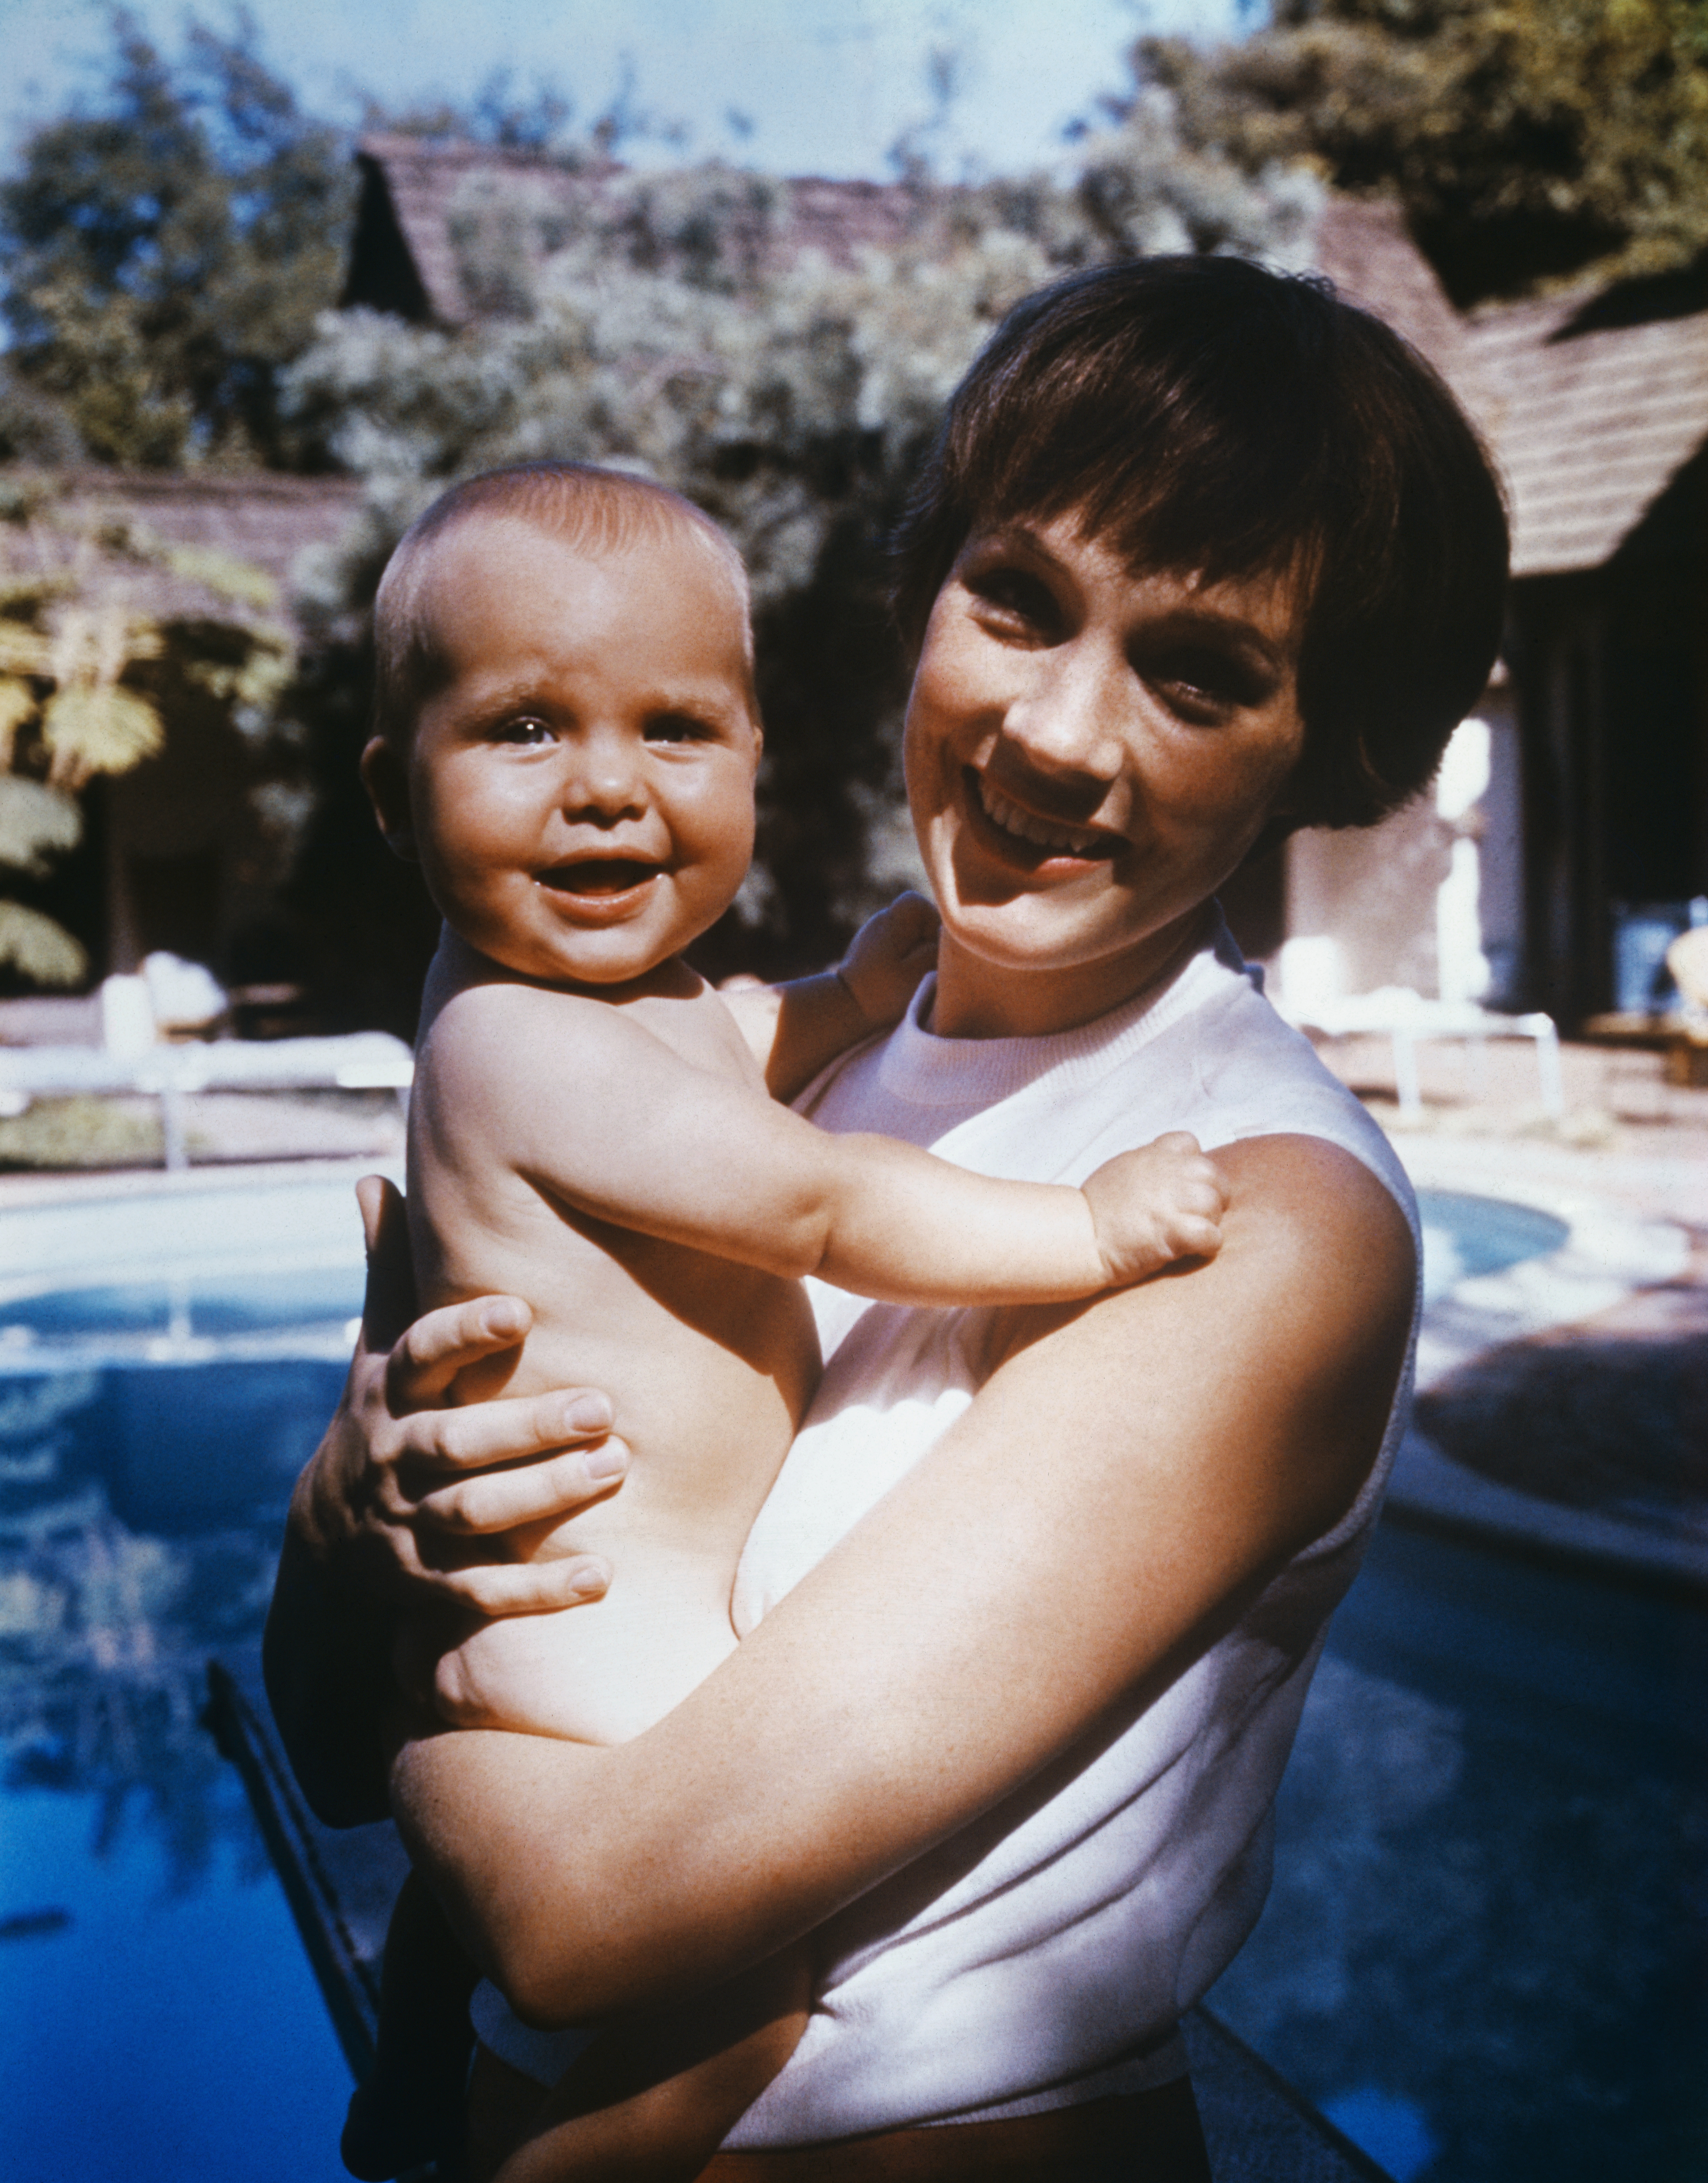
709 1365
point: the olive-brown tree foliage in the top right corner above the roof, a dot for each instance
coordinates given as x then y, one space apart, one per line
1528 139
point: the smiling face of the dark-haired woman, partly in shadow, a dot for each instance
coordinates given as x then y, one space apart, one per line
1089 756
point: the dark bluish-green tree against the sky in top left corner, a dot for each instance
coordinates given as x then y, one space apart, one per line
165 254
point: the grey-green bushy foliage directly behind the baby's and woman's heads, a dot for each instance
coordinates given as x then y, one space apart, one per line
661 329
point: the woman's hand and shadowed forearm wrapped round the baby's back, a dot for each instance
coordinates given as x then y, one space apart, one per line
405 1505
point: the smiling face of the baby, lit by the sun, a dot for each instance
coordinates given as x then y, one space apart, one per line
582 787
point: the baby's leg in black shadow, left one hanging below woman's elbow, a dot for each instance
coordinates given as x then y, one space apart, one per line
410 2108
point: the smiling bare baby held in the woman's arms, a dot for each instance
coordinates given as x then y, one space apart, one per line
567 743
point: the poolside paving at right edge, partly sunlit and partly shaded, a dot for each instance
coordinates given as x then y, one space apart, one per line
1582 1435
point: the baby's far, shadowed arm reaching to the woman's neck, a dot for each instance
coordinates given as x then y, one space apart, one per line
800 1027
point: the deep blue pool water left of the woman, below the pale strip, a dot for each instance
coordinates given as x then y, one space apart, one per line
158 2018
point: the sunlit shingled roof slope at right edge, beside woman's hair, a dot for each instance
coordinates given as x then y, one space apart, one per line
1591 420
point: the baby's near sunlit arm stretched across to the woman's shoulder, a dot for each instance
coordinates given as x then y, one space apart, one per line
700 1160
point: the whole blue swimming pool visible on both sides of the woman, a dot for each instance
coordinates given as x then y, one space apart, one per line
1478 1953
